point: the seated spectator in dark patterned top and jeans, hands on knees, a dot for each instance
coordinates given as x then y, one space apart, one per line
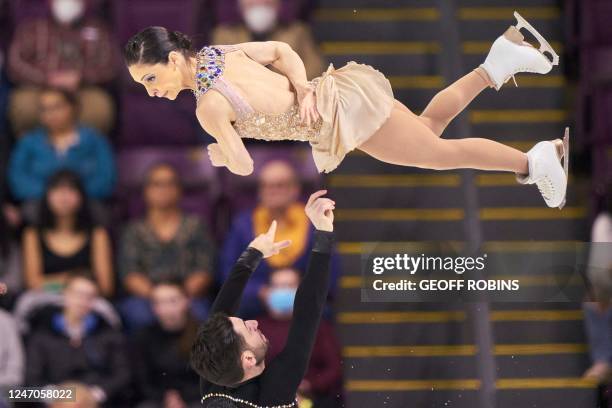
165 244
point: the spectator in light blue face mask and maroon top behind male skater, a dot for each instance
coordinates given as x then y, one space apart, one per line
322 383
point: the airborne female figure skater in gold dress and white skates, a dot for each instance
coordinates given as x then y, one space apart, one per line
351 107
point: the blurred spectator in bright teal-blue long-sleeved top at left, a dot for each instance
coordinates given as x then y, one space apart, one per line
61 143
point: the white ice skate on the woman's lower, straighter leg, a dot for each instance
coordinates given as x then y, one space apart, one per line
546 172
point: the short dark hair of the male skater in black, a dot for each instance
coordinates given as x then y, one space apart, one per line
215 354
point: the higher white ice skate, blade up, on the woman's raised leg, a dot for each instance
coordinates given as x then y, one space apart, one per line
510 54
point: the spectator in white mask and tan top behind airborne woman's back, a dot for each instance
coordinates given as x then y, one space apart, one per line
261 23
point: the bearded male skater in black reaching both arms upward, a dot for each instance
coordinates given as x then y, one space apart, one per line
229 353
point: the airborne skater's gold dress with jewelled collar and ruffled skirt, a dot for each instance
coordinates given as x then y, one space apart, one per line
353 102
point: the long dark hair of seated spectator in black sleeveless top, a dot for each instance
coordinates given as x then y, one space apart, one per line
48 220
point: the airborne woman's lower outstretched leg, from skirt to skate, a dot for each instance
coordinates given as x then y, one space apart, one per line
405 140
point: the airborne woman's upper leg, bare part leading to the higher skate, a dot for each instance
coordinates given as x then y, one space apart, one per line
453 99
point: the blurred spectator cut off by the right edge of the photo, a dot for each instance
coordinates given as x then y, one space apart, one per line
598 311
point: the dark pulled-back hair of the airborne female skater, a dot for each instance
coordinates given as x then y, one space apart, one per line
153 44
